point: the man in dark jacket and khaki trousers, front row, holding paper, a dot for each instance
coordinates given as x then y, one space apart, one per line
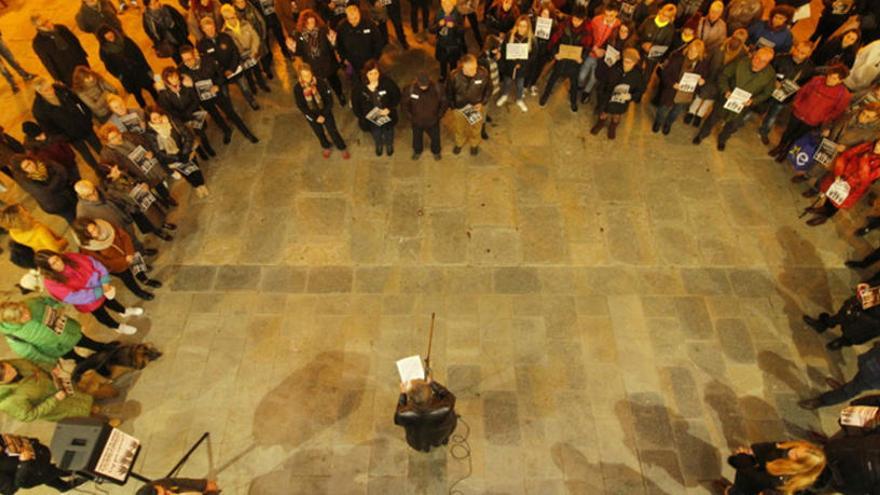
468 90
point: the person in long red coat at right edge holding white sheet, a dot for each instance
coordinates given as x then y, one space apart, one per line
854 171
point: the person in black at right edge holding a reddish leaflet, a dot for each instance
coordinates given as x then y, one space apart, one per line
858 317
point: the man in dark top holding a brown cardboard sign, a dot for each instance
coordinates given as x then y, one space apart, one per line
568 44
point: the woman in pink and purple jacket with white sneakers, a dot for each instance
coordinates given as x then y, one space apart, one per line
84 283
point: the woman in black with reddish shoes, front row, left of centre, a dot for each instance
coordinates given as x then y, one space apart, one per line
315 100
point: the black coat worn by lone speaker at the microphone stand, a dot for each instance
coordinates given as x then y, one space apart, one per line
431 424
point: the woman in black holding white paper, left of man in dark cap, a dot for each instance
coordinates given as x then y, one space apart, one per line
374 101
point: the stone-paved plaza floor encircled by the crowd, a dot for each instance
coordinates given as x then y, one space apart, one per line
614 317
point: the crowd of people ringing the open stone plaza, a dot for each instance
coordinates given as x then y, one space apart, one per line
709 63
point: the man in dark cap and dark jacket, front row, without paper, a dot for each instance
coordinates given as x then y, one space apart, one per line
424 102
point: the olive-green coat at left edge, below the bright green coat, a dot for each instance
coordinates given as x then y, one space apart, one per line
33 397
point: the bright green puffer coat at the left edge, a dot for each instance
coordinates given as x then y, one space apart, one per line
37 341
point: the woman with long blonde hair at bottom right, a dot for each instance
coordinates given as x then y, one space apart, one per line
786 467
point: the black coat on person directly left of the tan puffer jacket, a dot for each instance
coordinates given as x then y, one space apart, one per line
71 119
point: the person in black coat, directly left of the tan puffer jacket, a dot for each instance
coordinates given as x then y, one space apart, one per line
60 112
